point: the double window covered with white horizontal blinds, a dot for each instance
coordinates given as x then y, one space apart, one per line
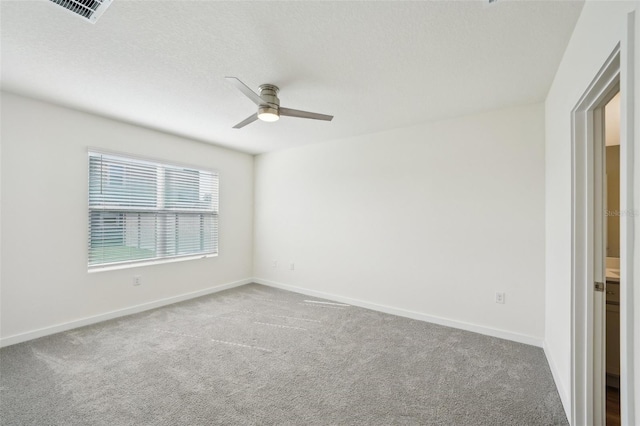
143 211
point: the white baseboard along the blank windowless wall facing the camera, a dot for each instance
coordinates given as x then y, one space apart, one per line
489 331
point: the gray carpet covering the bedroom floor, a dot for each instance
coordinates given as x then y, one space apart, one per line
257 355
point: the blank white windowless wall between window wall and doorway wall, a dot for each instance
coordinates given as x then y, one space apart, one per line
432 219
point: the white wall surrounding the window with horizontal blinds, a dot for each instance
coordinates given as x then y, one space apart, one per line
44 275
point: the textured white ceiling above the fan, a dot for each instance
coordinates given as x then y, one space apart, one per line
374 65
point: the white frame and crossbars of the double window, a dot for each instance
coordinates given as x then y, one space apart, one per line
162 212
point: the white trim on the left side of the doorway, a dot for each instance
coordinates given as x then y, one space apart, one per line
583 242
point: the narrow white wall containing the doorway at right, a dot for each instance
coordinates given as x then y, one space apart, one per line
600 27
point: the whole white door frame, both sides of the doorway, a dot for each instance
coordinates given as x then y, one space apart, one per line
587 365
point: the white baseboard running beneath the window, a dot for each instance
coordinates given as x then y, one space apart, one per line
46 331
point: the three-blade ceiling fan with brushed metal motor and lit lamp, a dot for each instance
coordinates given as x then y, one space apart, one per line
269 108
